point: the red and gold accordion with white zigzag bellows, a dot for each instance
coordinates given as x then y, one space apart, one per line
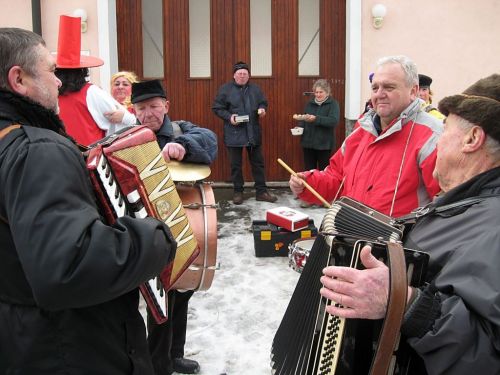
130 177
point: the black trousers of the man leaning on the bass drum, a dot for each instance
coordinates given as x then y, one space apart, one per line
166 341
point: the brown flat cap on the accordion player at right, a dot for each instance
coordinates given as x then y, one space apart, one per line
479 104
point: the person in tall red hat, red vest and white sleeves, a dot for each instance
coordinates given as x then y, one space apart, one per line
88 112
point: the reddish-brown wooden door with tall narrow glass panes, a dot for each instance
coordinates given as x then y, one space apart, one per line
191 99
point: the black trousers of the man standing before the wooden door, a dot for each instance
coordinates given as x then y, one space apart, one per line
256 162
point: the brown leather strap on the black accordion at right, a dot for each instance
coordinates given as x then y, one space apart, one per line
396 304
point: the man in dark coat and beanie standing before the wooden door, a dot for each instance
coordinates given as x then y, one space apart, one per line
240 104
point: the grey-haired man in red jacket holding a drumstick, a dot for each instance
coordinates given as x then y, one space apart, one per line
388 160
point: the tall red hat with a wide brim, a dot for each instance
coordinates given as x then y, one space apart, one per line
69 46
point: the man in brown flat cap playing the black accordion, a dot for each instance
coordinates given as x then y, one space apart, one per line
452 322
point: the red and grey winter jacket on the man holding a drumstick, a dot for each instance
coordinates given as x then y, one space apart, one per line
369 164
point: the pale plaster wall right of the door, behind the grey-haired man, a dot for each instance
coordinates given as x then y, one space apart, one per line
456 42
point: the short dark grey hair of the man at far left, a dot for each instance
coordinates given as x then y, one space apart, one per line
18 47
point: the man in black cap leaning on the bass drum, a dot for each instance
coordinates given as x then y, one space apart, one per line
179 140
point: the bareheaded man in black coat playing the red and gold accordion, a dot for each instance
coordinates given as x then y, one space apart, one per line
69 298
